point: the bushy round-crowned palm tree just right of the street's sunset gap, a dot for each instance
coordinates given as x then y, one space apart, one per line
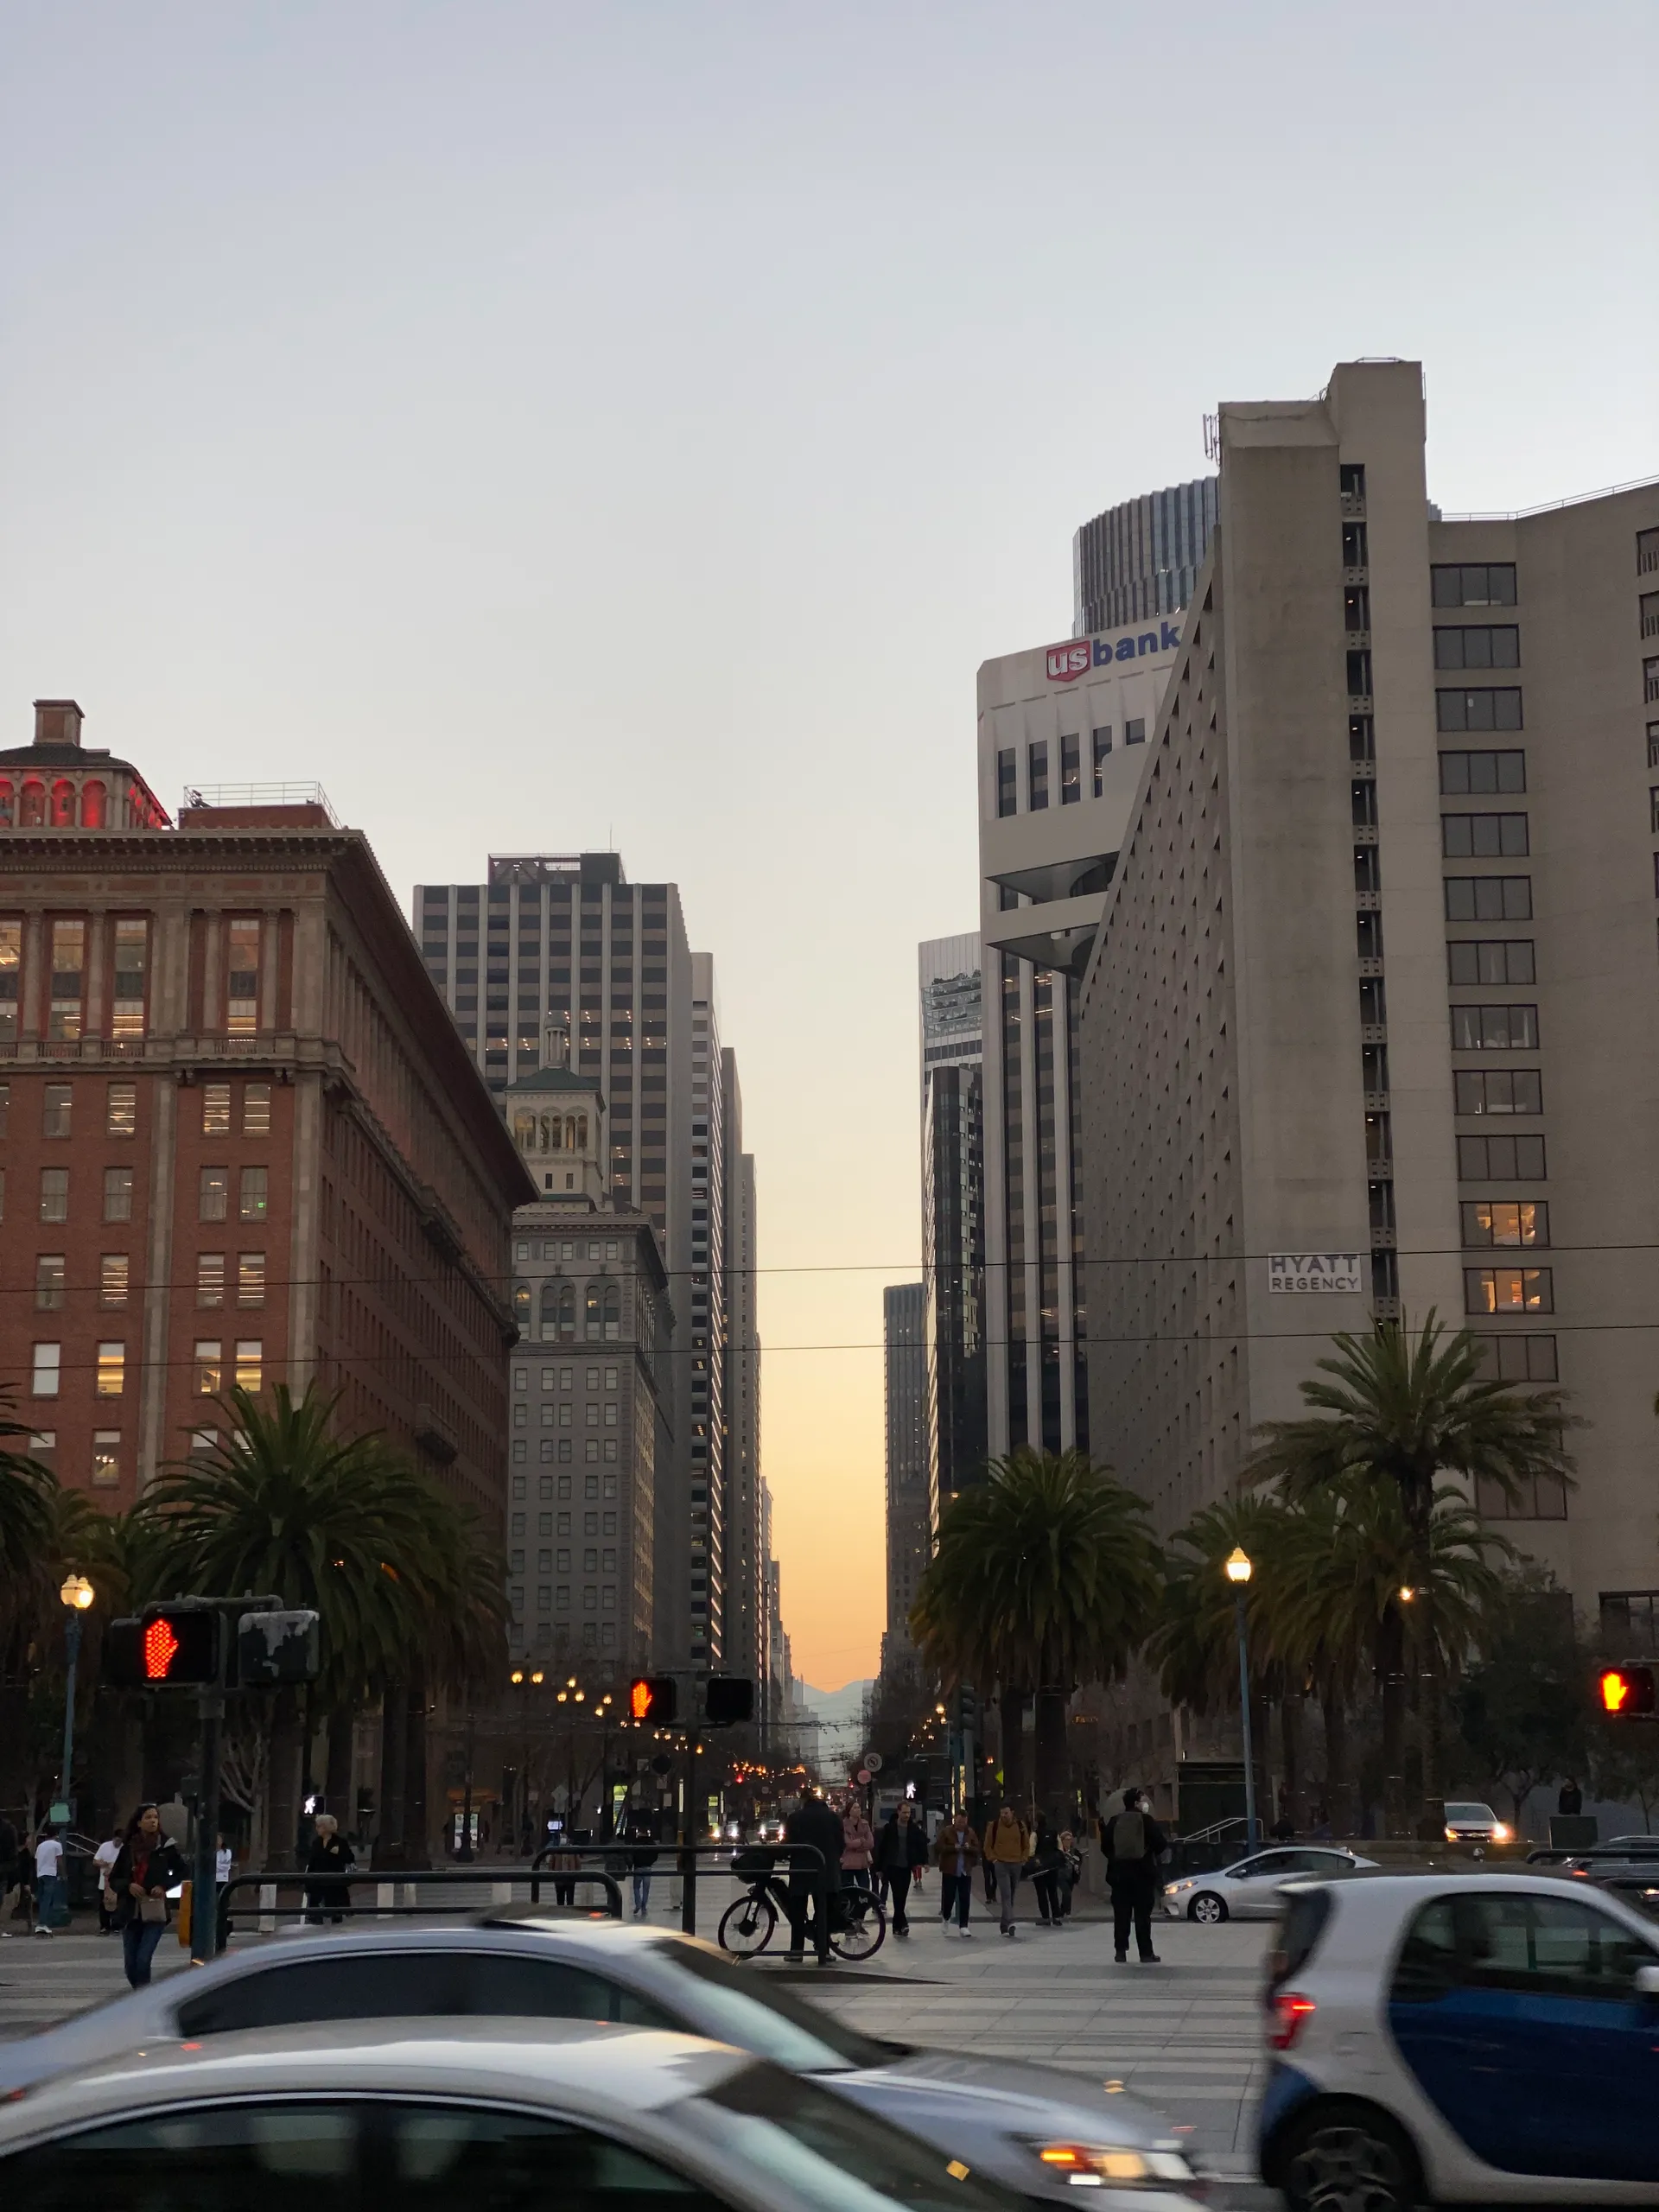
1045 1578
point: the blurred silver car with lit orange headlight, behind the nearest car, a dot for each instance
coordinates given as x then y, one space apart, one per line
1034 2129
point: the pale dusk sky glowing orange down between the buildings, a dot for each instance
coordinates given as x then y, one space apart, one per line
632 426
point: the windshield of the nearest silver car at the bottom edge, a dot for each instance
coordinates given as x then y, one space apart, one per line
831 2156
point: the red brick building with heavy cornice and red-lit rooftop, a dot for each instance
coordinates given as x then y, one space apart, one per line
240 1136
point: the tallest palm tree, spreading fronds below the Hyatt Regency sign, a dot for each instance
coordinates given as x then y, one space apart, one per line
1404 1412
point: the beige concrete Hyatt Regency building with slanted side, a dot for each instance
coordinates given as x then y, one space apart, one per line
1373 1016
